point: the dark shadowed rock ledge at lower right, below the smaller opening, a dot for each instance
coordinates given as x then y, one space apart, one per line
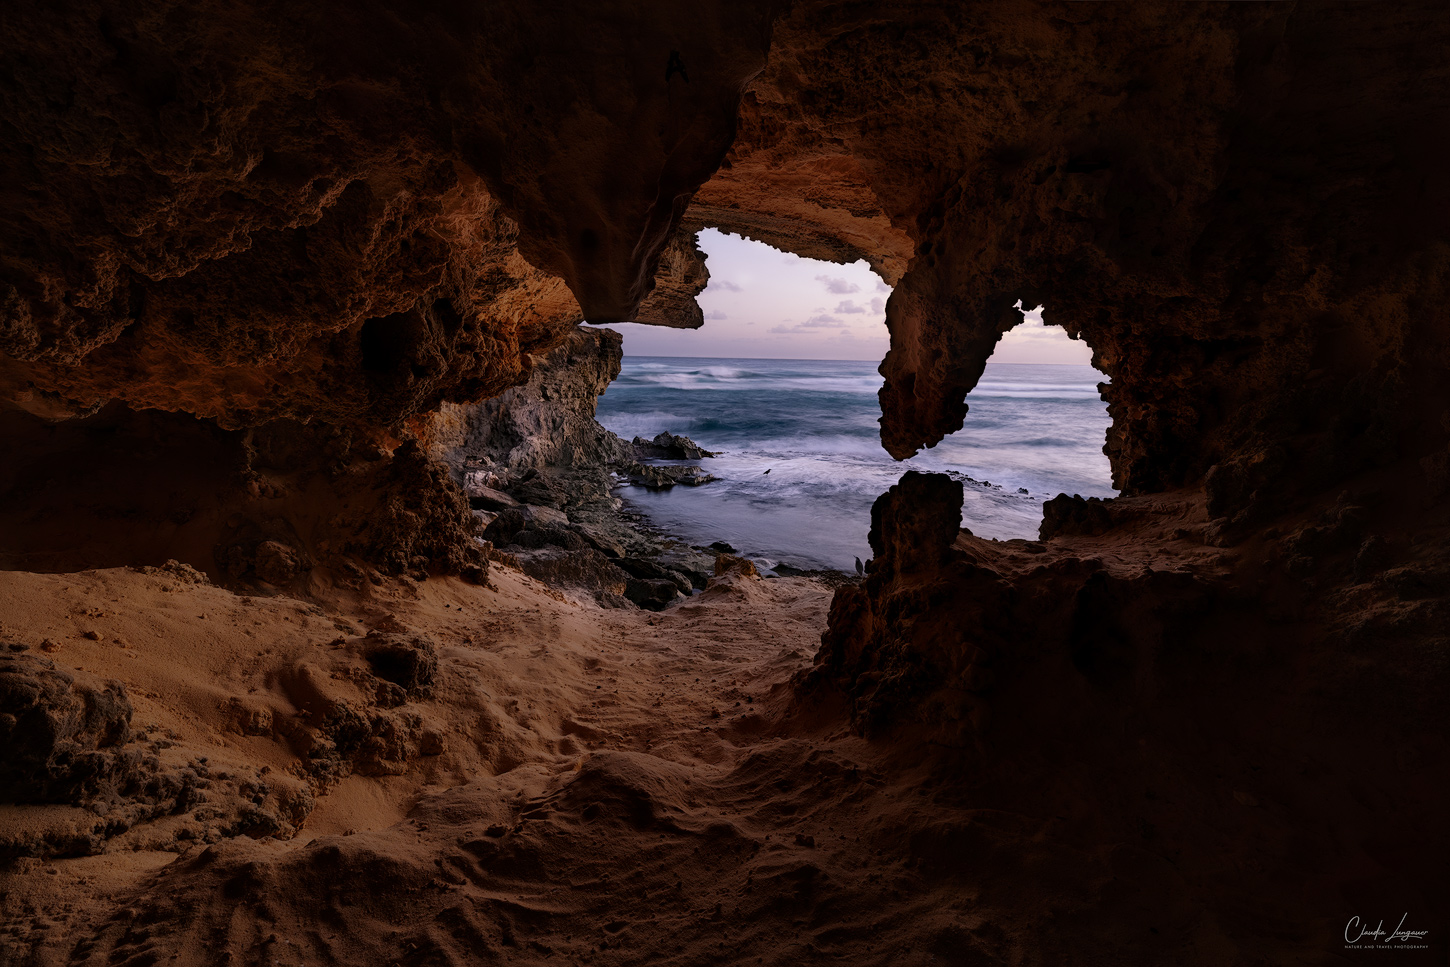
1200 705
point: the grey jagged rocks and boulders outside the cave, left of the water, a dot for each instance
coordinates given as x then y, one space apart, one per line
546 482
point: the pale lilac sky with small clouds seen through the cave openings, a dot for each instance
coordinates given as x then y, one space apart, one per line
766 304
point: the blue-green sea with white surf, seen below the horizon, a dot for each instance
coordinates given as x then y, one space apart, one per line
813 424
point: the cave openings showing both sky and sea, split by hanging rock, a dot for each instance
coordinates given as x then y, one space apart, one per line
782 383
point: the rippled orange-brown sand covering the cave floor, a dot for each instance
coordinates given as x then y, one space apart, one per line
611 787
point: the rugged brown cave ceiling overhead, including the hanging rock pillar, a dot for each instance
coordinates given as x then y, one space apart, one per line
353 214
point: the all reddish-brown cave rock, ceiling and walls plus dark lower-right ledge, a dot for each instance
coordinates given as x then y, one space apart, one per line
250 254
